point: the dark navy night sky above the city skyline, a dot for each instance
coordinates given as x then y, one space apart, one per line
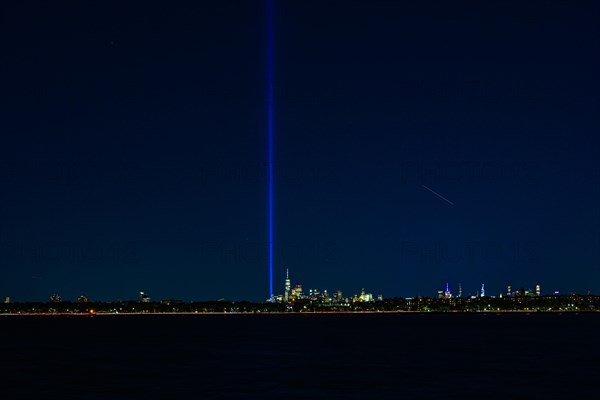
416 143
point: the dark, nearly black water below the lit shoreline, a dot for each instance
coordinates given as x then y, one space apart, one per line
301 357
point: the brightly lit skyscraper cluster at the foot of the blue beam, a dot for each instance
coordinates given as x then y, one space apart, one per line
297 293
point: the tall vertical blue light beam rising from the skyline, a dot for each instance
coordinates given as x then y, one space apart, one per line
270 132
